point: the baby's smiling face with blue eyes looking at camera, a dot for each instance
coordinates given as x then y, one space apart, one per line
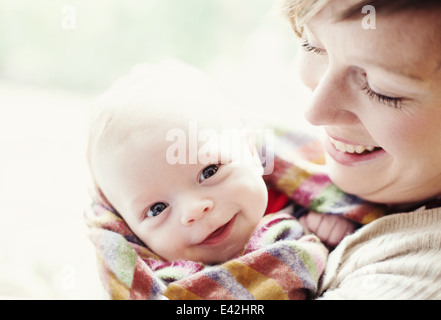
203 208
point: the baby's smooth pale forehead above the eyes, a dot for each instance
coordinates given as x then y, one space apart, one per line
159 128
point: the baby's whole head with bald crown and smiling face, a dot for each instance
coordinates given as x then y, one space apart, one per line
174 163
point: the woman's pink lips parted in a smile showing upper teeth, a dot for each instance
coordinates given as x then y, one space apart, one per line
350 154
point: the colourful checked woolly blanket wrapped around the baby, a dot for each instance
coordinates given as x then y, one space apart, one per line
279 262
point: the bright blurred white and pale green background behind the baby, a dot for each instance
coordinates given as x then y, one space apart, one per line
56 57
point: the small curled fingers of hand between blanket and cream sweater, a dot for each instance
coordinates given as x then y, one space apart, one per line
330 229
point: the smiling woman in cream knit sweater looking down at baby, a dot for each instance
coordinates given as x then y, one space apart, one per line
377 93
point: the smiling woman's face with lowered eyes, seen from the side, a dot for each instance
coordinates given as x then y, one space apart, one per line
377 94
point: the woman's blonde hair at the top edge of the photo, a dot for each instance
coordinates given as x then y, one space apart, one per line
298 12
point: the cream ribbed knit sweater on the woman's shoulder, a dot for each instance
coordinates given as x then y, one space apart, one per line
395 257
